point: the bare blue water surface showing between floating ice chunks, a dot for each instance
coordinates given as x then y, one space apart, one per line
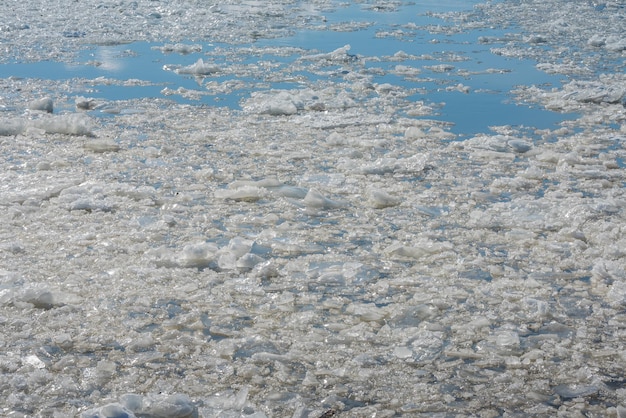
485 79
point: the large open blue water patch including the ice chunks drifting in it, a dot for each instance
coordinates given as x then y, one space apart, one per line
408 50
